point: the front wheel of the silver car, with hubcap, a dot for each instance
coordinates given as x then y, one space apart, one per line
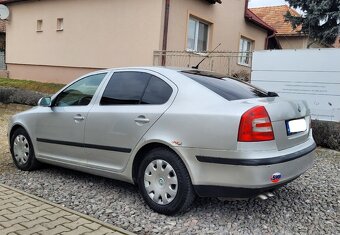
22 151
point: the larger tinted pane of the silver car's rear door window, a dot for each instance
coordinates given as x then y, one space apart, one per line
125 88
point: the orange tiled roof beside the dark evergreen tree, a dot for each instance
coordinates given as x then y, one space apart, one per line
274 16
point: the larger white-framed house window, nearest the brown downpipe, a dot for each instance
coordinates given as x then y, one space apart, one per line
197 35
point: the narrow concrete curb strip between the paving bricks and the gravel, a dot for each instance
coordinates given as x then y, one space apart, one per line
109 226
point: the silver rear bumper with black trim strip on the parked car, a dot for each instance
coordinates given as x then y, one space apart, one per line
216 173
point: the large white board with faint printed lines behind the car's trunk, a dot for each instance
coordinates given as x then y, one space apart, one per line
312 75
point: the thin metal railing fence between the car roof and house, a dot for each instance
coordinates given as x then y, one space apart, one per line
228 63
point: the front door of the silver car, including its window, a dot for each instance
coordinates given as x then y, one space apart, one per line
60 129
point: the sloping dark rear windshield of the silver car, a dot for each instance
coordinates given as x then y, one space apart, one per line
228 88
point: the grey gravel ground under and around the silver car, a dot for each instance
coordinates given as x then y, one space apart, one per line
308 205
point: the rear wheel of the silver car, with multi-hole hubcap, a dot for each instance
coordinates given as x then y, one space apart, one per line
164 182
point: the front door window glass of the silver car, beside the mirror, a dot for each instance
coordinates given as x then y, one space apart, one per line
81 92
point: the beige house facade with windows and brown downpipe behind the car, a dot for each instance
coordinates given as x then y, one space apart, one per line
59 40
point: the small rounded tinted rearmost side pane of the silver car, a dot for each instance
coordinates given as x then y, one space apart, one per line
157 92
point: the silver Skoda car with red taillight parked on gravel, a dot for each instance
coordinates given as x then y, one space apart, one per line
176 133
